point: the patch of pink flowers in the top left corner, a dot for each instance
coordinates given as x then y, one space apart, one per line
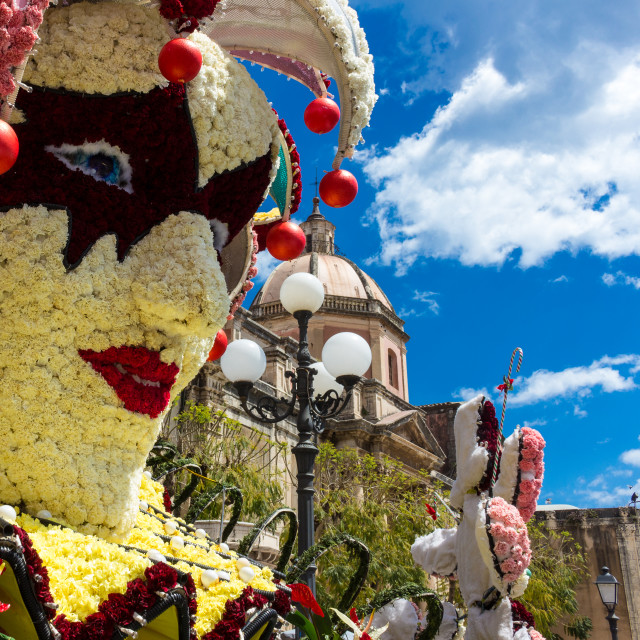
17 36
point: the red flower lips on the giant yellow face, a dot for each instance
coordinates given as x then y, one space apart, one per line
137 375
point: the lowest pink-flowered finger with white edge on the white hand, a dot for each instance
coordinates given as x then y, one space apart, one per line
504 542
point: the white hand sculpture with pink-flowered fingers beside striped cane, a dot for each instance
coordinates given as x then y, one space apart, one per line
489 550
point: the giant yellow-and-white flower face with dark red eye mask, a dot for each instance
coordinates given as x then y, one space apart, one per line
93 349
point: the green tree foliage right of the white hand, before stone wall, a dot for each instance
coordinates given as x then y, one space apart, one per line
558 565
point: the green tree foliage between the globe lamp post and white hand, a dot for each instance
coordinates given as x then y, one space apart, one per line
379 502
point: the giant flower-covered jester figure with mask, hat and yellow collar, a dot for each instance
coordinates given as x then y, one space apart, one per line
125 233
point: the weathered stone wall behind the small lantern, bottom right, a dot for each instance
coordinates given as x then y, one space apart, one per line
609 537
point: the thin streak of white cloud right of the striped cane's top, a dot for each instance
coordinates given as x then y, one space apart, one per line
576 382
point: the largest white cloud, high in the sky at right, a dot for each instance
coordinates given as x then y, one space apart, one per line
519 168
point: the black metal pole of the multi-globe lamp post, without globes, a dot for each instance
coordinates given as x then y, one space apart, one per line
305 452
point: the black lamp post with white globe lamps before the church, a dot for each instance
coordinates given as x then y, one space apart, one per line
321 390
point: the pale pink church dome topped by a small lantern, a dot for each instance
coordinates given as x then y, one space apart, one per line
339 275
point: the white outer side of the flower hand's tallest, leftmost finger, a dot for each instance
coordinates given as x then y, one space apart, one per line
471 459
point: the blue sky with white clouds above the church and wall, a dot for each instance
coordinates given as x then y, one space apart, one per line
499 207
